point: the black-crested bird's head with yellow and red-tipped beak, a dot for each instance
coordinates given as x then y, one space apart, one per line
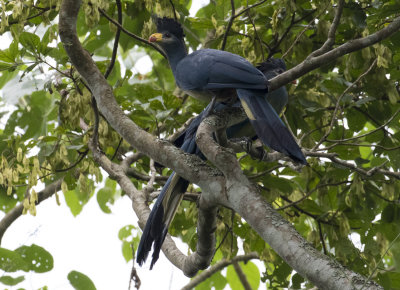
169 34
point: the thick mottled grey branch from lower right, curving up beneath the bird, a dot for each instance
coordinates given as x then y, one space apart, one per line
243 197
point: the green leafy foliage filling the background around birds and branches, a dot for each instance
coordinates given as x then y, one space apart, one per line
47 129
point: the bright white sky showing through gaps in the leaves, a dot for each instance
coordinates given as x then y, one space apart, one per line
89 242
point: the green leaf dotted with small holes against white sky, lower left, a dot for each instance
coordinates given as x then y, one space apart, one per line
38 259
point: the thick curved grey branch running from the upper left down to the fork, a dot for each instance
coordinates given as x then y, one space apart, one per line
161 151
